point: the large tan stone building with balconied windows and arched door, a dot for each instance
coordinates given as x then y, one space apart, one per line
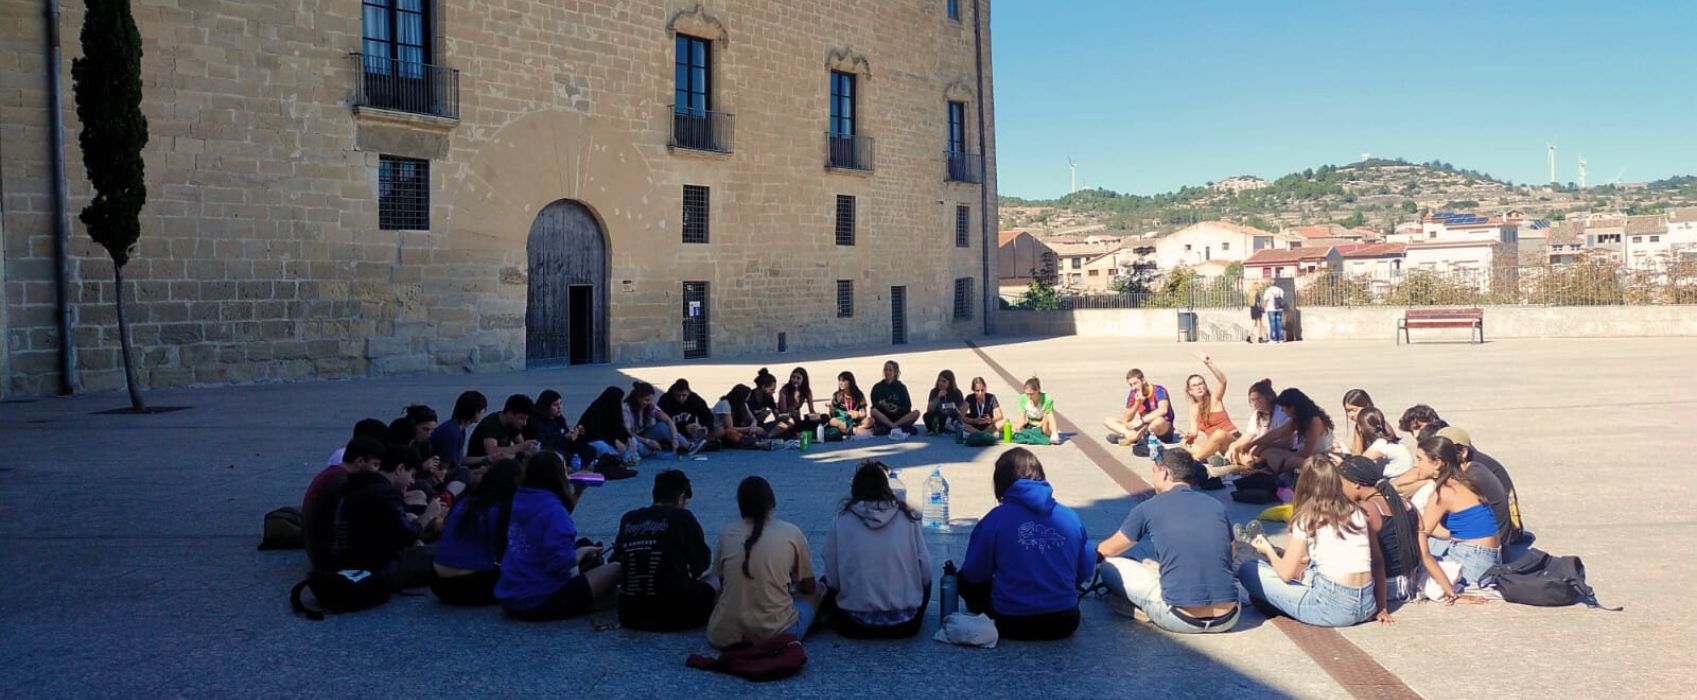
362 188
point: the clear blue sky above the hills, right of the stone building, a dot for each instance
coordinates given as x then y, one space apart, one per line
1153 96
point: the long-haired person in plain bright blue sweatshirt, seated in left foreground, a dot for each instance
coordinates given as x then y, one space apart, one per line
546 577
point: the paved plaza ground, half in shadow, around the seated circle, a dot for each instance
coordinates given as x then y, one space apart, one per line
128 543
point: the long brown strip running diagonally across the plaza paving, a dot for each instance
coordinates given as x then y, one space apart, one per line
1350 667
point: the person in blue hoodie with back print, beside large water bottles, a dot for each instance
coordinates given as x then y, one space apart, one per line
1028 558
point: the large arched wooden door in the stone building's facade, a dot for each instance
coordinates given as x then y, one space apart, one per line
566 312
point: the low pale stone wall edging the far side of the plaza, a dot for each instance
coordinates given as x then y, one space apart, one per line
1364 324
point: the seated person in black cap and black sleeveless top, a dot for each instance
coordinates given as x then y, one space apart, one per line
1391 521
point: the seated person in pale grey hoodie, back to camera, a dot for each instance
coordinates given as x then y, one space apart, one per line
878 572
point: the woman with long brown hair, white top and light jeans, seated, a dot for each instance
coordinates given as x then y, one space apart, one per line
1331 573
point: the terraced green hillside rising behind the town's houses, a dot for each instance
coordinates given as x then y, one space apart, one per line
1374 193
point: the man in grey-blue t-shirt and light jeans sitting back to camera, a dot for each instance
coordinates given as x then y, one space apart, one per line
1189 587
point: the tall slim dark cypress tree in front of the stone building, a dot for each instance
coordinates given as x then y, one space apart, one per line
108 86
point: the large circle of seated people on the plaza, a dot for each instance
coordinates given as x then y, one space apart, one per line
486 517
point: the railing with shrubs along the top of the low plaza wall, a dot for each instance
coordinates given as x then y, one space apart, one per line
1577 285
